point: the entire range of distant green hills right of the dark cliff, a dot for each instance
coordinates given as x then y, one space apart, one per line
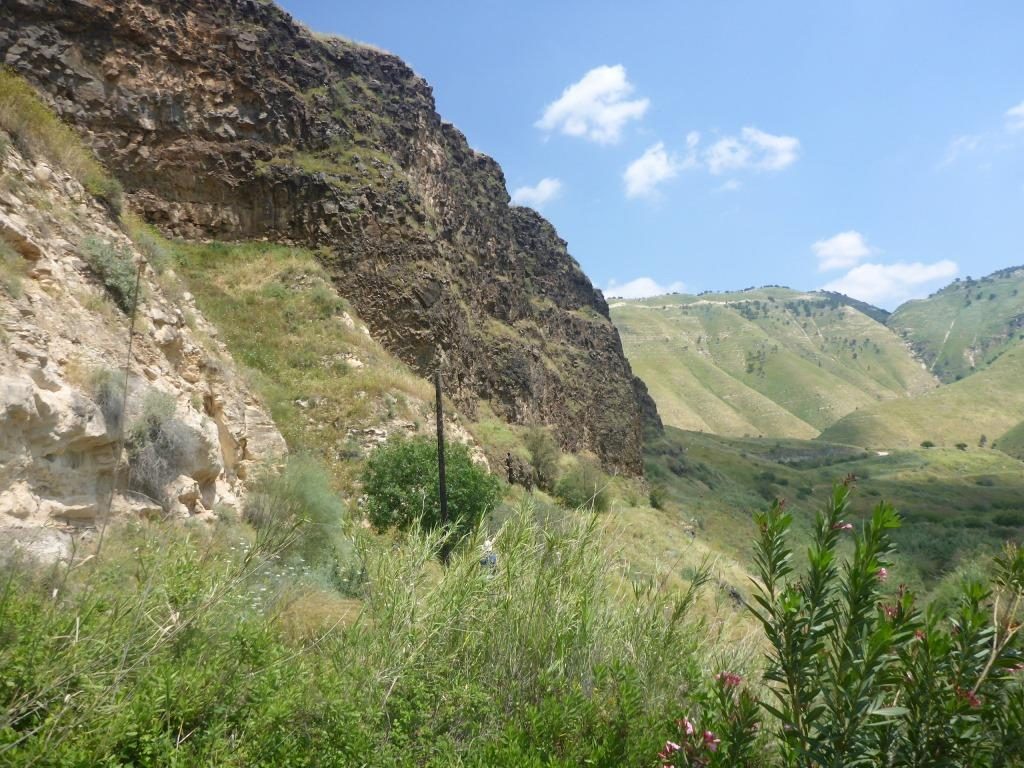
782 363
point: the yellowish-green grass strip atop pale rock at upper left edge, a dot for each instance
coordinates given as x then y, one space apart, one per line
37 131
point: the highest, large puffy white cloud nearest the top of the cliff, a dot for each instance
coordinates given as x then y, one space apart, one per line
595 108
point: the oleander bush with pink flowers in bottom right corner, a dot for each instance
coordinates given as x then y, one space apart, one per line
858 674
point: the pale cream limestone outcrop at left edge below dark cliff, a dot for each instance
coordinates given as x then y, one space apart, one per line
64 415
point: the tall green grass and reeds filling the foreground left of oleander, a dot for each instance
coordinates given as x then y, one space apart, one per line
172 651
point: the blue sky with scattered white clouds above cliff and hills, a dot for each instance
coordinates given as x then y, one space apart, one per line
873 147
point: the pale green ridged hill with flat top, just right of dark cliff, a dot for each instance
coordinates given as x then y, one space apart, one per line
763 362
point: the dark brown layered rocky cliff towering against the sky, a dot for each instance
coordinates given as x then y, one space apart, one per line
226 119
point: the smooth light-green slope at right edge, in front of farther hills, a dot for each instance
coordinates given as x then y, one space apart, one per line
989 404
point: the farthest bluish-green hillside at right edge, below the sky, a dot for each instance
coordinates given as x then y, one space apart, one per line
966 326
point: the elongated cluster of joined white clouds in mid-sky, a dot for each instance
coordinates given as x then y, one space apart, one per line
752 150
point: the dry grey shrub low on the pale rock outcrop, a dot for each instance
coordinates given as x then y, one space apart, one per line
159 446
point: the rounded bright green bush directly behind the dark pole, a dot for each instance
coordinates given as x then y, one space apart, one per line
401 485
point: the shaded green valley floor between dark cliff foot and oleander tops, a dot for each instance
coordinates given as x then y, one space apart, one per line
955 503
